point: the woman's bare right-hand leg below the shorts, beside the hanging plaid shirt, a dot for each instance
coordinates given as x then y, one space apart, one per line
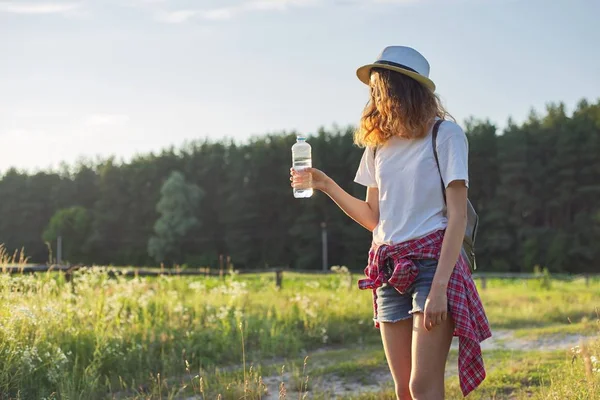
429 354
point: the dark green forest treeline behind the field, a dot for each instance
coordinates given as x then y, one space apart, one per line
535 185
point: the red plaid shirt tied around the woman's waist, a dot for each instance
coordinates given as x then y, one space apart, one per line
471 324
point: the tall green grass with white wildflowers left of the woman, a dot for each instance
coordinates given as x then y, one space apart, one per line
84 338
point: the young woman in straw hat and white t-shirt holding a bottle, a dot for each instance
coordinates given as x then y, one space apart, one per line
422 287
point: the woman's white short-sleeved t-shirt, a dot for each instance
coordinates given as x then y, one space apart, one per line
411 202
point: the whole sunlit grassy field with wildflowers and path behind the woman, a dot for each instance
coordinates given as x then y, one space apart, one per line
97 337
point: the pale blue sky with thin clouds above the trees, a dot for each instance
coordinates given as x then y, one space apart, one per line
84 79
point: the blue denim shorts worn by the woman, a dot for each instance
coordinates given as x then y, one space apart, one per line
393 306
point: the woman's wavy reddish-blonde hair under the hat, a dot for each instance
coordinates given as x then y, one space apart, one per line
398 106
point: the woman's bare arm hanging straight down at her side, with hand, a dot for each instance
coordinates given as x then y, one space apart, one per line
436 306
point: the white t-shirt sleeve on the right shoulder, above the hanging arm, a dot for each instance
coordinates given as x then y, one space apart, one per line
453 153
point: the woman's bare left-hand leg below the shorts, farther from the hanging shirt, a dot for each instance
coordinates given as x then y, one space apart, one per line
396 337
